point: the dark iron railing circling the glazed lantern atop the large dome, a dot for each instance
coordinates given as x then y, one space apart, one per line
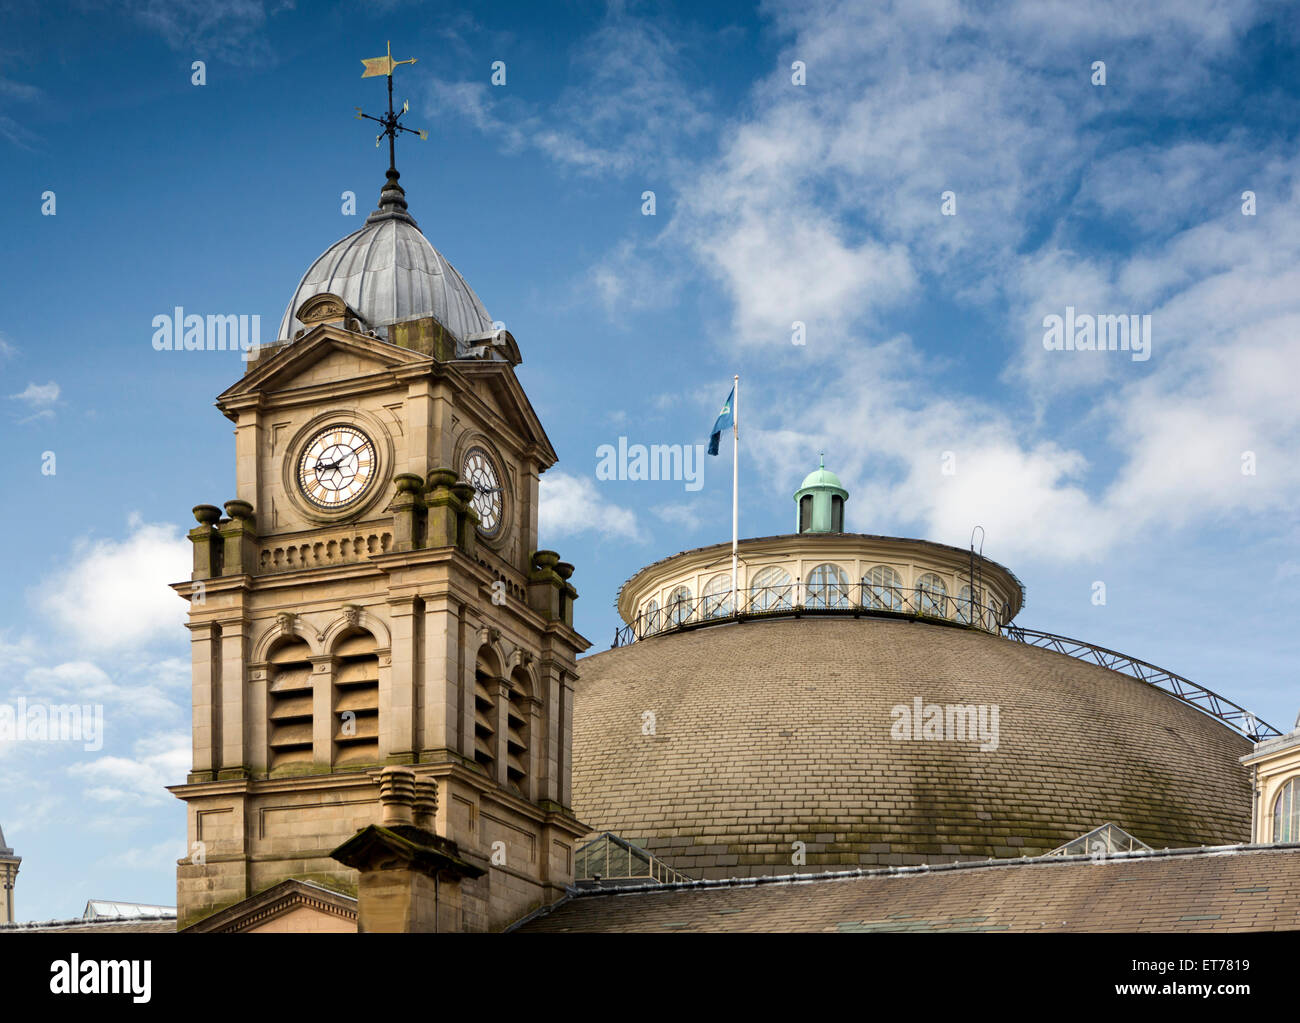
796 600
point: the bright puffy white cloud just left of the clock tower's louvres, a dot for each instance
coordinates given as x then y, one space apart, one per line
114 595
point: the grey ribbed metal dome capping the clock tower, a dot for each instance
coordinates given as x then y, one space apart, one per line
389 272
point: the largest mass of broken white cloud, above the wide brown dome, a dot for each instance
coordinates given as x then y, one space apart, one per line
824 206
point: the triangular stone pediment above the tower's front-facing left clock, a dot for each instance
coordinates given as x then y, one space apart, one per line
324 356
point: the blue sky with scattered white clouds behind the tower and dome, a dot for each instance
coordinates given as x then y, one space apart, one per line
775 203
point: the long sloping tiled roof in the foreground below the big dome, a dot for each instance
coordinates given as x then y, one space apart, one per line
1227 888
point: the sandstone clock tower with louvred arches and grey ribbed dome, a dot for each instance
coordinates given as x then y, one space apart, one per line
375 596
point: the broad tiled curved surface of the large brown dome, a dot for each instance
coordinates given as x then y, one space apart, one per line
774 732
